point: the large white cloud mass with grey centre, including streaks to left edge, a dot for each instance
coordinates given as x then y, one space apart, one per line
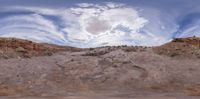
88 25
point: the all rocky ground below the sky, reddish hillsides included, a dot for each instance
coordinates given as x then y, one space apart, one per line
30 70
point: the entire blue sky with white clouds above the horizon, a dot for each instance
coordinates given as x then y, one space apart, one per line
95 23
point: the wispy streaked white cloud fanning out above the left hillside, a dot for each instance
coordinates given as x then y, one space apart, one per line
29 26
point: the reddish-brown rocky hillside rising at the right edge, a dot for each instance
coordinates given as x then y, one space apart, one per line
180 47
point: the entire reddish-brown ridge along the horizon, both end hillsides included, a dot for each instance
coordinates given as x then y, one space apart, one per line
13 47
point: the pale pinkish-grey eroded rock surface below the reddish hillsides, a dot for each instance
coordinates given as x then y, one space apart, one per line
96 70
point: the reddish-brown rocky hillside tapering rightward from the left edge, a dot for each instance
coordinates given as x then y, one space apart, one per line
18 48
